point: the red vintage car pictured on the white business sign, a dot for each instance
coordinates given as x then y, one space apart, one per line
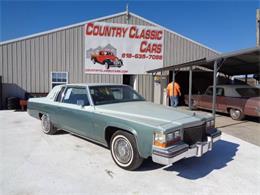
106 58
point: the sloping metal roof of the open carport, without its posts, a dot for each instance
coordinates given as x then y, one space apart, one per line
245 61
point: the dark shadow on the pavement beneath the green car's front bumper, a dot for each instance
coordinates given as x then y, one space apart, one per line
194 168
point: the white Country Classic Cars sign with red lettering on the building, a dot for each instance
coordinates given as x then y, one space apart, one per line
122 49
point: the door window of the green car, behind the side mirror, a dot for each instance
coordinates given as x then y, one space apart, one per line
76 95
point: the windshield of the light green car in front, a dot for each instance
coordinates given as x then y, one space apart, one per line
113 94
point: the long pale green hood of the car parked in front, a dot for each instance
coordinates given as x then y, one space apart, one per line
151 114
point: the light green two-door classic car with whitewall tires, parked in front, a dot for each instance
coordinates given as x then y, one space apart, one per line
117 117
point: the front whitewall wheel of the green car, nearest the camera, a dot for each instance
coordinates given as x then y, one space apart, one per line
124 151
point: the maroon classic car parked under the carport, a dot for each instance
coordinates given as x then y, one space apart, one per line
237 100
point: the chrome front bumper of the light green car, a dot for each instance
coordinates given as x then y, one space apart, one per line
182 150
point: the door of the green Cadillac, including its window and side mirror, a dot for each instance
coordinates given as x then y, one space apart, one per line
75 111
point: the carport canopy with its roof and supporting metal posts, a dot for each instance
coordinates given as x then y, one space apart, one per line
241 62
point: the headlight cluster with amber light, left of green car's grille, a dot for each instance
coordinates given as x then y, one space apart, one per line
164 140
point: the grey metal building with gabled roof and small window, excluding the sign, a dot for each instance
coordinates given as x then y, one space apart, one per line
32 63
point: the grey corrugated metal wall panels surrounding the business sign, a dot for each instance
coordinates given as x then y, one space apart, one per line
27 63
